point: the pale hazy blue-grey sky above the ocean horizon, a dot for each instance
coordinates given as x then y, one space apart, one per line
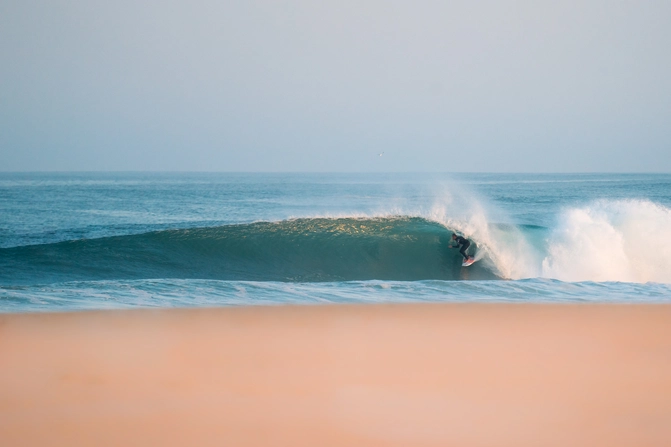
507 86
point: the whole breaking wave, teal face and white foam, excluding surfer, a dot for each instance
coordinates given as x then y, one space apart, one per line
616 241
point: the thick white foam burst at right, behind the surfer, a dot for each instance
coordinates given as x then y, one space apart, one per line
611 240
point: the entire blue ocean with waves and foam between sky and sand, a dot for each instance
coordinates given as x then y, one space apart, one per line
71 241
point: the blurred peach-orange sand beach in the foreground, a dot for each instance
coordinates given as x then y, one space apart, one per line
366 375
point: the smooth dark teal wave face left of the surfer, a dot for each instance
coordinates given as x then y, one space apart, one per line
308 250
